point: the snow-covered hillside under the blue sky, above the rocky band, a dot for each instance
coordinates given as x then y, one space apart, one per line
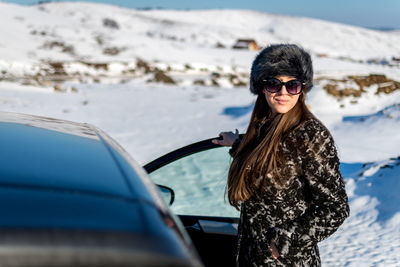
88 31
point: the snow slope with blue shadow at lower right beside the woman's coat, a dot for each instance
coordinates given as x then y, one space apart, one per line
371 235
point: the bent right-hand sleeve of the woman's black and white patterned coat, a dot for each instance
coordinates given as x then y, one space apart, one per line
328 207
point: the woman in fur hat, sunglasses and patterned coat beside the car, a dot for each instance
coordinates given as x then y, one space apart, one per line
285 175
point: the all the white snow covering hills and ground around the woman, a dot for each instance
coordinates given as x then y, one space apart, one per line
150 119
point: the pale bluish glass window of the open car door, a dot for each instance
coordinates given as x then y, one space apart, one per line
199 182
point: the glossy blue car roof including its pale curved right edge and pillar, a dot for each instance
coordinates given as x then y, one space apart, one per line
40 153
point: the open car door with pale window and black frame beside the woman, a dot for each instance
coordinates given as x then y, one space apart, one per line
197 173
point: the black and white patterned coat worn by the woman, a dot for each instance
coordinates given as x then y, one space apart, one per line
309 208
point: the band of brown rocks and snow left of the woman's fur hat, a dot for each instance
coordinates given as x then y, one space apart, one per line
51 73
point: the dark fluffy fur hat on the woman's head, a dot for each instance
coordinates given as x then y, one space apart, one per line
281 59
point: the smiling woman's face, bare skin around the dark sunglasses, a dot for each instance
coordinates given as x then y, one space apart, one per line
282 101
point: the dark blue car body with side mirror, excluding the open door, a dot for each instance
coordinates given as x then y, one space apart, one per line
71 196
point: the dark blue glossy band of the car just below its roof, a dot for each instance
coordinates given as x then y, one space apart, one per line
40 207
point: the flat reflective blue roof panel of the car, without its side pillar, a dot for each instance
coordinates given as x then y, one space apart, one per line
45 152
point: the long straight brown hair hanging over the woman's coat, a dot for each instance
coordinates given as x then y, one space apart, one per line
257 154
